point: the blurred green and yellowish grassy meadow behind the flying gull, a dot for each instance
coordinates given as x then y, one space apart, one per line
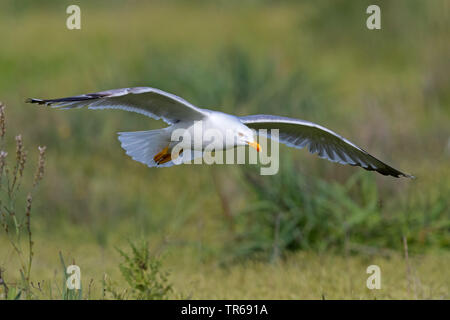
225 231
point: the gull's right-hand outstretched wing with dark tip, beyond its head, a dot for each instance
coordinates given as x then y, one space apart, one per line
326 143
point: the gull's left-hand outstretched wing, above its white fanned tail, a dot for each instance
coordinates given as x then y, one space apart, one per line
150 102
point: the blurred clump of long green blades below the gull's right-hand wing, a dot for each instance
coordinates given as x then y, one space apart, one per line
291 212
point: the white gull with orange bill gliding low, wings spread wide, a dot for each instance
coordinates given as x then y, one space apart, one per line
154 147
